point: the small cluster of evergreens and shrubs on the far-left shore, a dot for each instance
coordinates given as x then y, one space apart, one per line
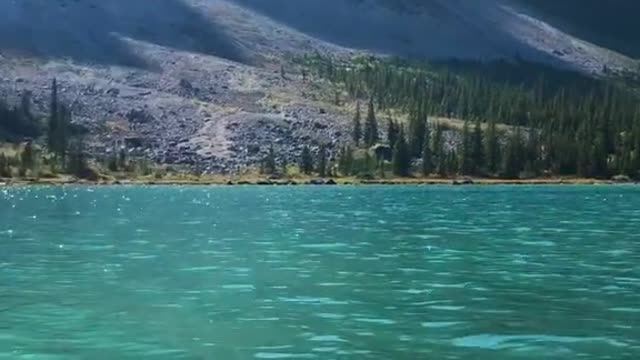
52 149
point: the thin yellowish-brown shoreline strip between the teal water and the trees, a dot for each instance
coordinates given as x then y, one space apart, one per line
239 181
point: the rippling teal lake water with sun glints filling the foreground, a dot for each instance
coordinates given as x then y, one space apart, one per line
320 273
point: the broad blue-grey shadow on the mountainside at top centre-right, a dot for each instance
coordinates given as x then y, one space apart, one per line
426 28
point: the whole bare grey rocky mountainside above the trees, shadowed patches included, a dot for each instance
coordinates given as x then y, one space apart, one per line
186 81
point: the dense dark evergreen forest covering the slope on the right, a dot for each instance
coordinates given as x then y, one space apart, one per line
561 122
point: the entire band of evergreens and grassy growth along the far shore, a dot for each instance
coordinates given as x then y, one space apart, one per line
519 121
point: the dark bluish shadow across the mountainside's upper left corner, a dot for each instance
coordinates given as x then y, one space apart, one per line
91 30
